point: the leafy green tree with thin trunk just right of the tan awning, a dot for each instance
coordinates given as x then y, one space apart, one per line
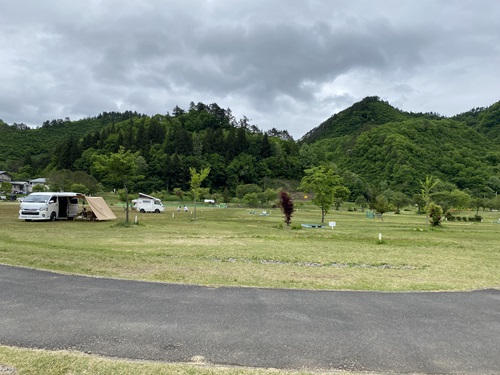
120 167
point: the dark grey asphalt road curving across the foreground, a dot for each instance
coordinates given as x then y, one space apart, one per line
431 333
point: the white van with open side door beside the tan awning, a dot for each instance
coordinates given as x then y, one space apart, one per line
49 206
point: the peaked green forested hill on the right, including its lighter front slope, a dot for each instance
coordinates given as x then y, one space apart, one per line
378 143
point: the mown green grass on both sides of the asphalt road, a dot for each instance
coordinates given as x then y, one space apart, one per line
233 247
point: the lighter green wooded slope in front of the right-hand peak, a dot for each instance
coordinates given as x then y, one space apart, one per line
402 153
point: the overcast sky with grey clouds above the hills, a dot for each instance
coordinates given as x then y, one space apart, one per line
288 64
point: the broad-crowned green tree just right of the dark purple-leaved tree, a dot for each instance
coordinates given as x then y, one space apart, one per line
323 182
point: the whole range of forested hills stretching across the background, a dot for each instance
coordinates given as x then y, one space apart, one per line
371 144
